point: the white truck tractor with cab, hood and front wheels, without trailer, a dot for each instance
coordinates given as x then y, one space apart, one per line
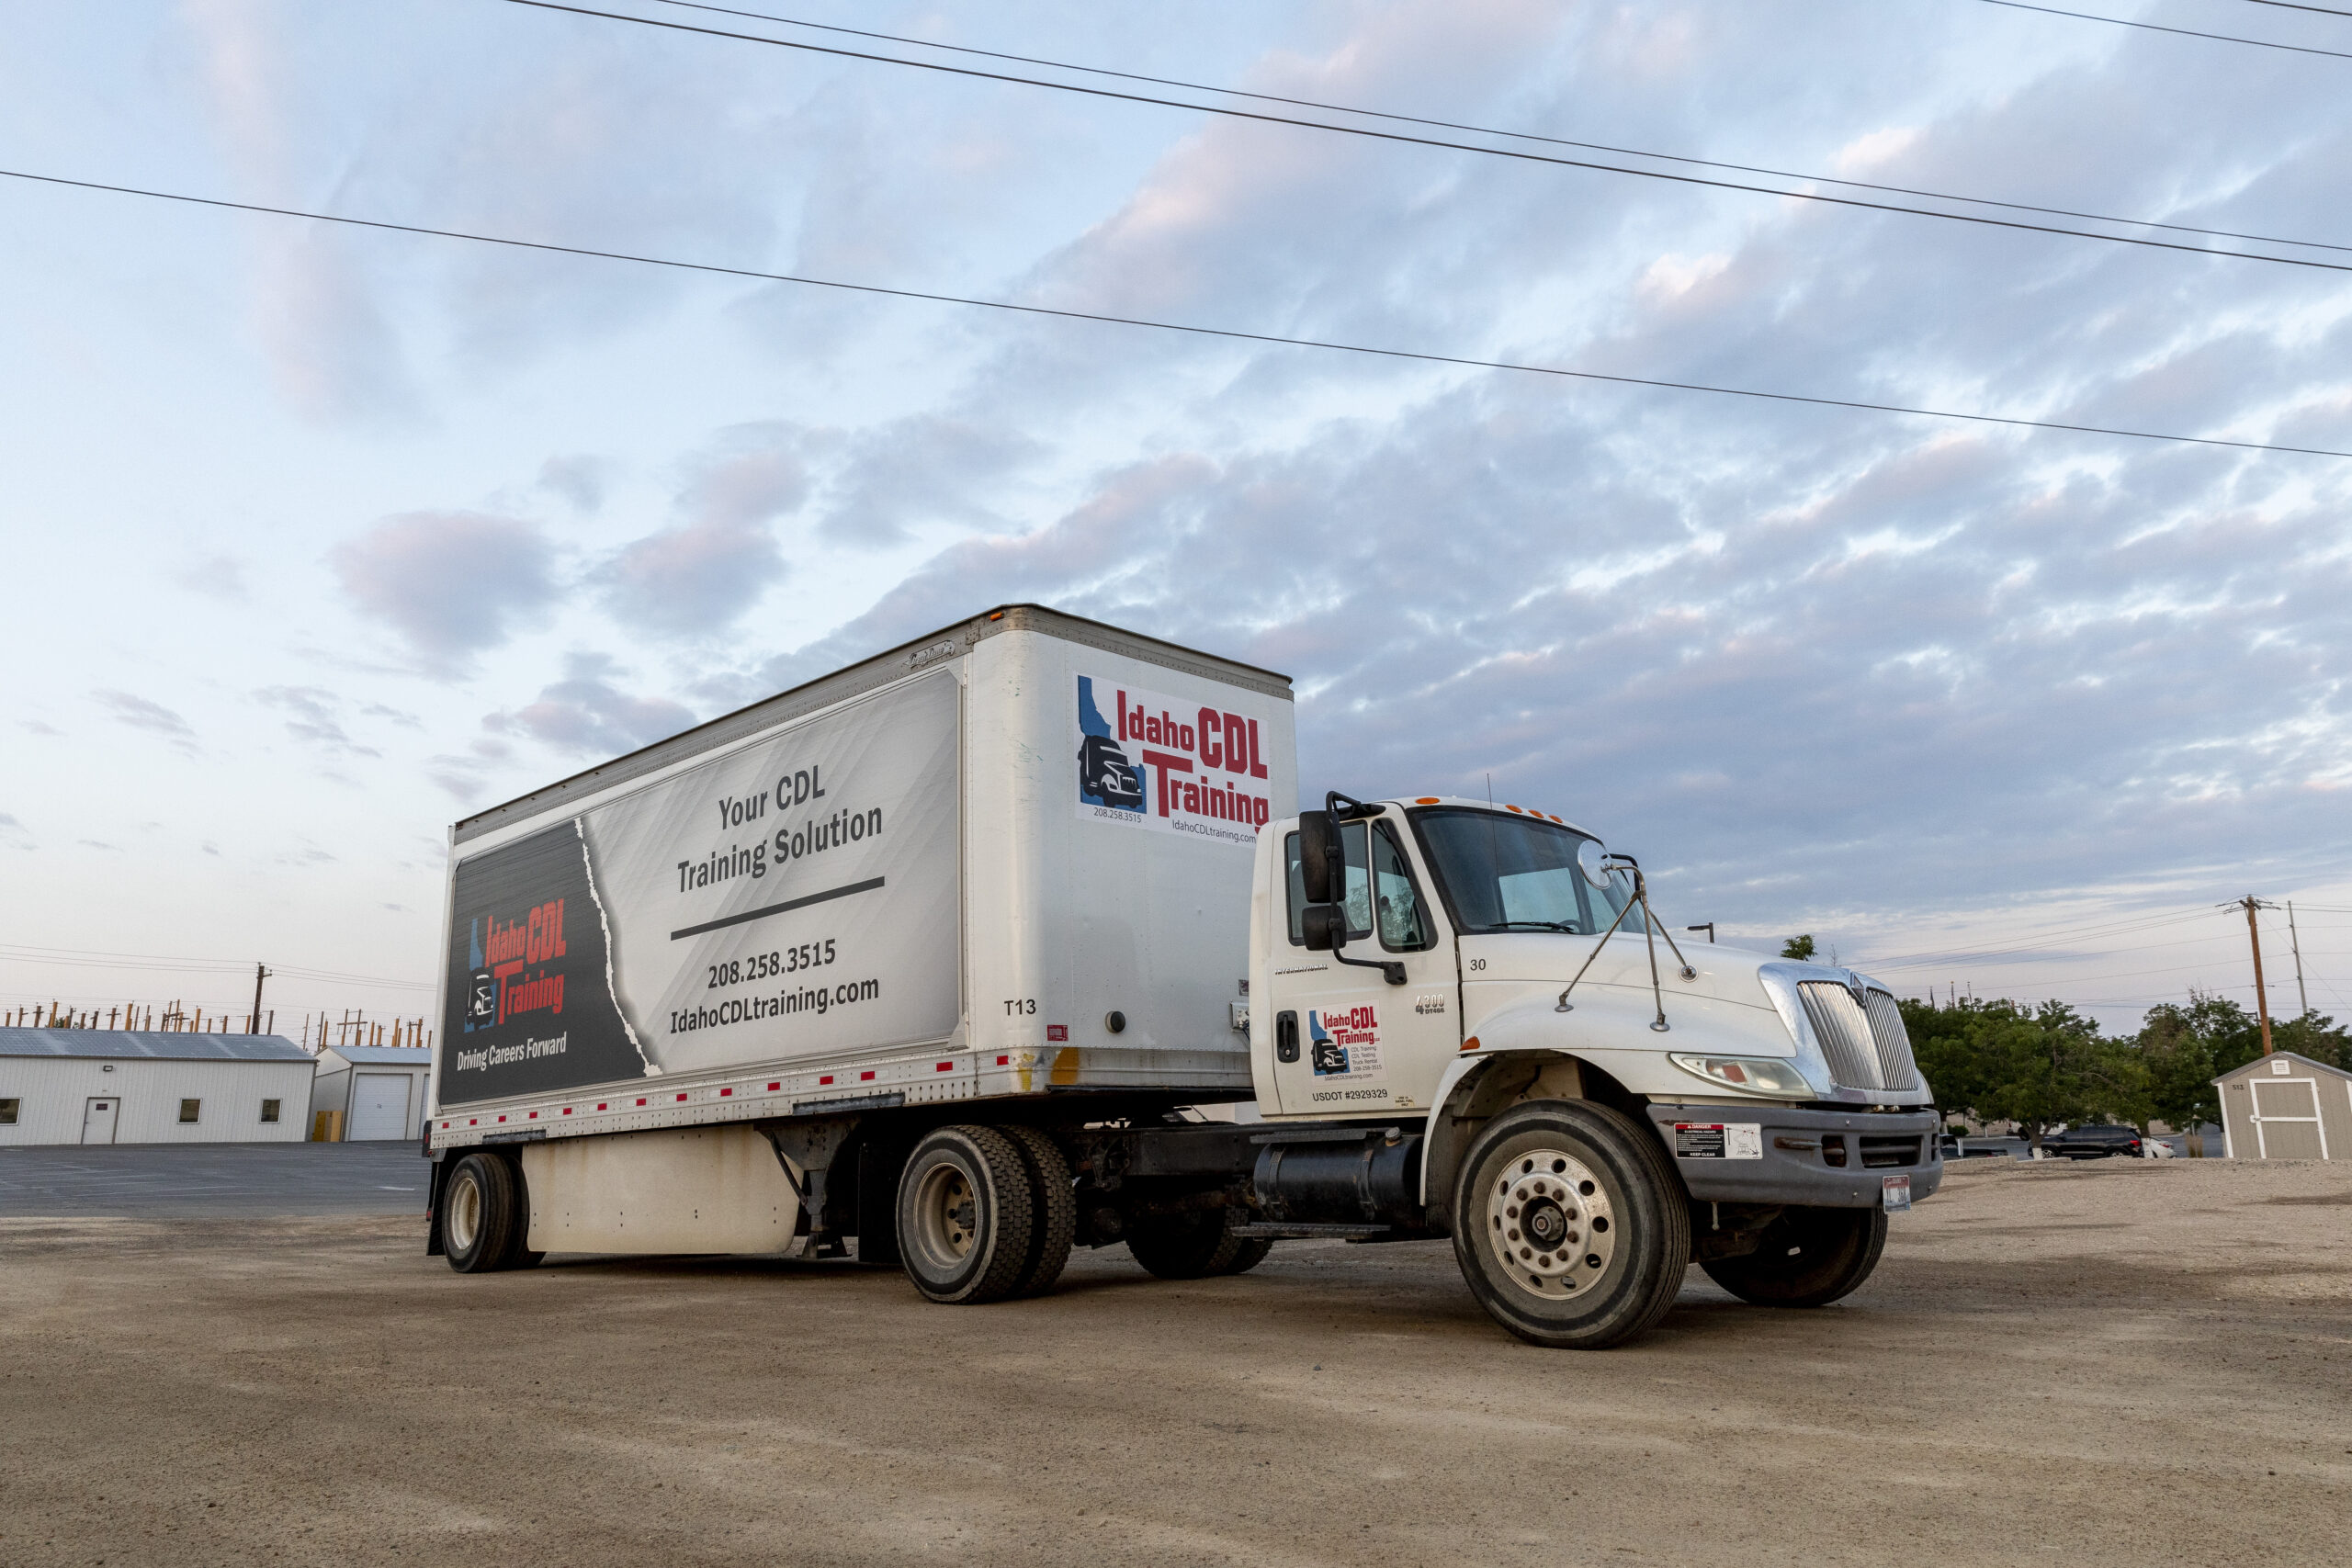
1488 986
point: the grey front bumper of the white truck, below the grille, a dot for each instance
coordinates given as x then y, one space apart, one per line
1779 1153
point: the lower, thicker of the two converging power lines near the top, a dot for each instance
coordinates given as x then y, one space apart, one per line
1436 142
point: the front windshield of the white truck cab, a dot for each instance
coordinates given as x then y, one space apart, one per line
1514 873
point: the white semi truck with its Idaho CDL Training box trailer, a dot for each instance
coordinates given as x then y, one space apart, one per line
956 960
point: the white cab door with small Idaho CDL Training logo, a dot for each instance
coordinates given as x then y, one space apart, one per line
1347 1040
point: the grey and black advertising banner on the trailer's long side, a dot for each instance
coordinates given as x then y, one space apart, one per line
789 897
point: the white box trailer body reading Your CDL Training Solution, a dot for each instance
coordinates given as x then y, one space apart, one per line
1005 862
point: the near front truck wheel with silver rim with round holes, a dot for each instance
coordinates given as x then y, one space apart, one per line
1570 1226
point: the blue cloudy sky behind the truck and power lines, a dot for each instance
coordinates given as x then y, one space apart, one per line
323 537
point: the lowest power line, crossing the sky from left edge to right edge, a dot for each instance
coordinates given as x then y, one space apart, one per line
1187 328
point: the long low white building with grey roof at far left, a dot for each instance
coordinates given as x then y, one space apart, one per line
149 1087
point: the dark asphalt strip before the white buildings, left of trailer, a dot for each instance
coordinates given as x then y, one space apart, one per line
213 1179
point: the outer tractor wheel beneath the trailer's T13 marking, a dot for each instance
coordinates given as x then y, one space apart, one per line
965 1217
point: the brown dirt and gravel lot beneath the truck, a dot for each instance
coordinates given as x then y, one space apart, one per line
2113 1362
